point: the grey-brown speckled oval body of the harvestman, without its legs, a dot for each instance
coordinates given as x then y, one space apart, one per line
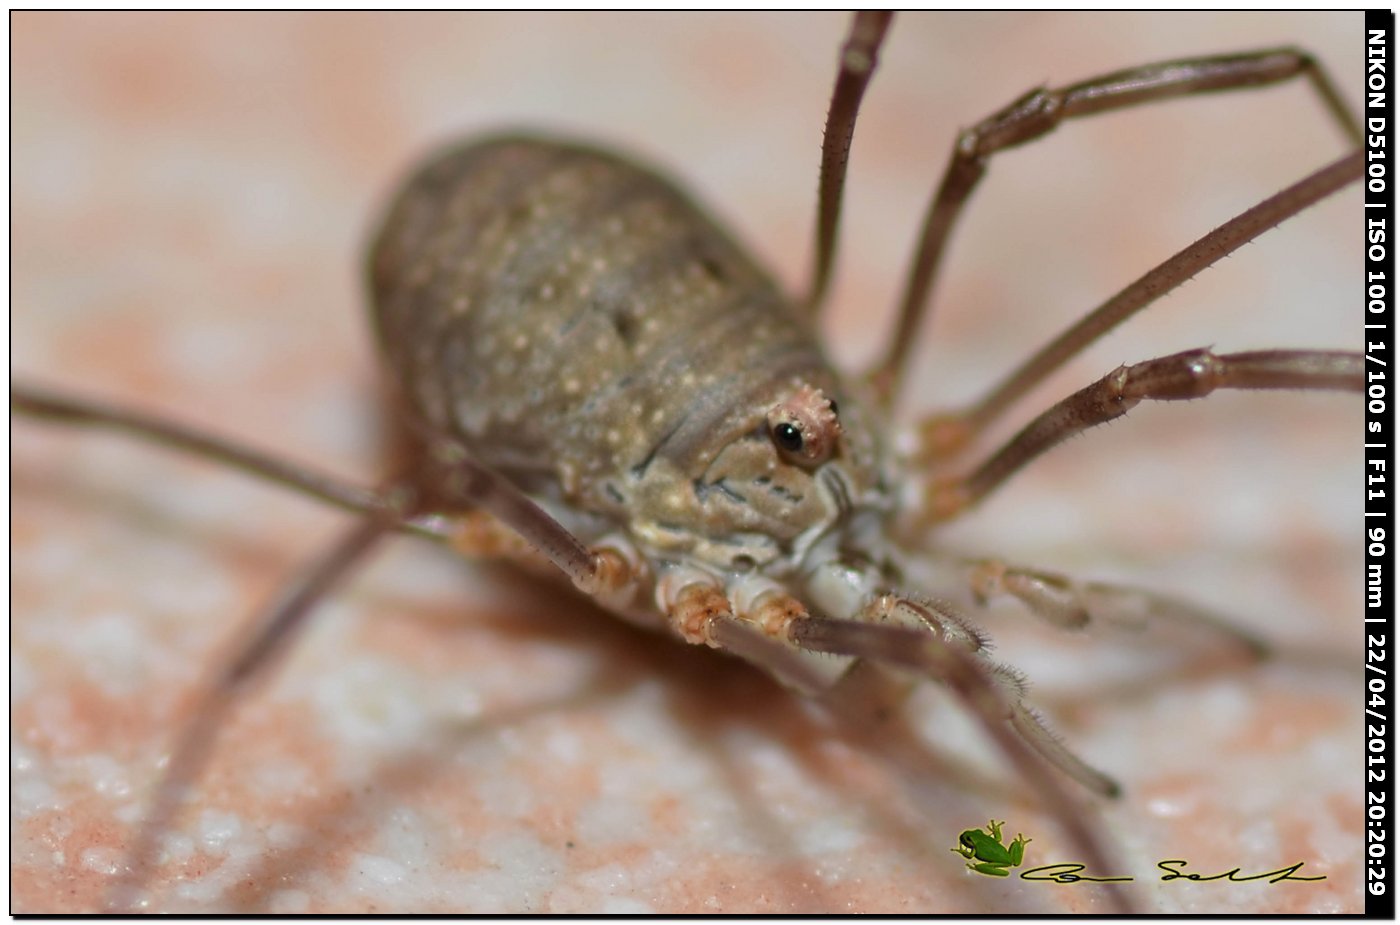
586 331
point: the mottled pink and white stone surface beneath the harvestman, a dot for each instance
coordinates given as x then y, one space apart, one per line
191 195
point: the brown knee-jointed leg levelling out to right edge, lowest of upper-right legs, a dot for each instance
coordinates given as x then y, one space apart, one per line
1191 374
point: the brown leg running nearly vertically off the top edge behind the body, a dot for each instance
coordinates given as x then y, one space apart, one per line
860 54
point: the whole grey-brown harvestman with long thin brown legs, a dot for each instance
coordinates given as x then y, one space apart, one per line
751 444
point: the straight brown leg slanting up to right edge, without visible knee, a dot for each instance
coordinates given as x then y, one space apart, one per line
944 435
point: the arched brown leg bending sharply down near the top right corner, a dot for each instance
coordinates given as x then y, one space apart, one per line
1039 113
